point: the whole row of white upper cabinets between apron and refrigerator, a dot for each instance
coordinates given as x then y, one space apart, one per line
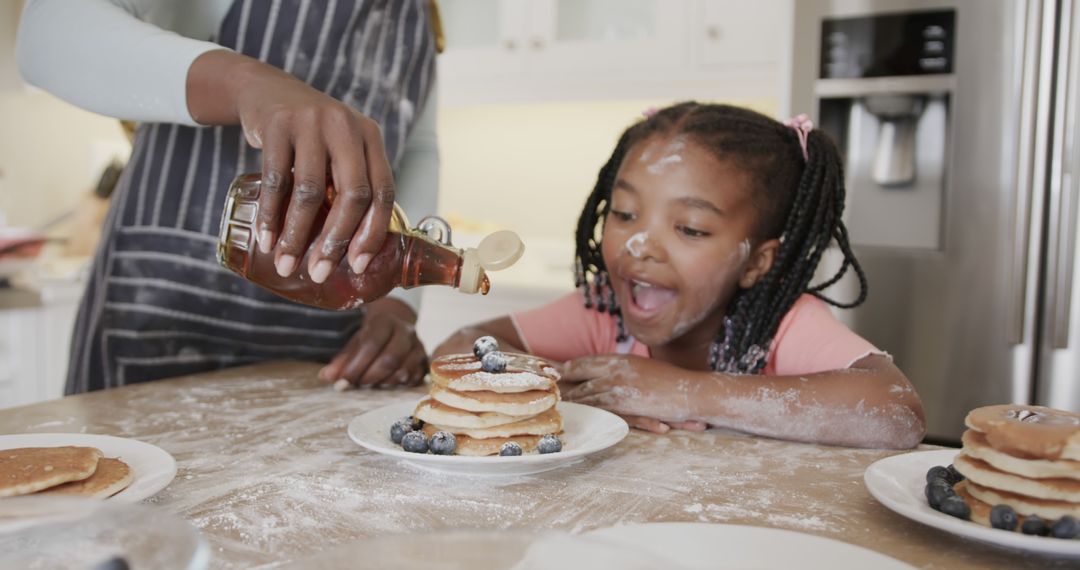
524 51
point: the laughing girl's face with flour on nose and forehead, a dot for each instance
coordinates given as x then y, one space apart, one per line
678 241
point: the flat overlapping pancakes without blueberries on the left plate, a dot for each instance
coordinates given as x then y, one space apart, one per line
70 471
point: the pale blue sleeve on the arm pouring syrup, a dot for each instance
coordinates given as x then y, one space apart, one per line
107 58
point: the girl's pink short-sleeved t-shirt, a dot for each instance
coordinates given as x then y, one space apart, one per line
809 340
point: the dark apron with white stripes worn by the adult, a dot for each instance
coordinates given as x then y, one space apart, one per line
158 305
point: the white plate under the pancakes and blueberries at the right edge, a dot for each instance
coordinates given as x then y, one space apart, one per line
964 530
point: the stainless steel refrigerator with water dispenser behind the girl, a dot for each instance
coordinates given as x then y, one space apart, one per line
958 125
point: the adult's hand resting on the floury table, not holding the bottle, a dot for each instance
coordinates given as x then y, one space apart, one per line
385 352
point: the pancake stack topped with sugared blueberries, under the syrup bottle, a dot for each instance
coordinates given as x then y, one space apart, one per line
490 399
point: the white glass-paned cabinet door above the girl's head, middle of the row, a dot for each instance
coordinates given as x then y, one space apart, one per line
606 36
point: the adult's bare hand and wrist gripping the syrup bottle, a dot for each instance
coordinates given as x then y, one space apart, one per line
304 134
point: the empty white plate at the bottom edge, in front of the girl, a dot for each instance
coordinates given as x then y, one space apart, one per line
704 546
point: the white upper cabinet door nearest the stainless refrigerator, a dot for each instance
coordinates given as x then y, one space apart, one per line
740 34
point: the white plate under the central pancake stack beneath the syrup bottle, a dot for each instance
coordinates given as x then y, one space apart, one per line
586 430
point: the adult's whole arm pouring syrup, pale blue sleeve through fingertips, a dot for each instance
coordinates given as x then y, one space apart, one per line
171 78
